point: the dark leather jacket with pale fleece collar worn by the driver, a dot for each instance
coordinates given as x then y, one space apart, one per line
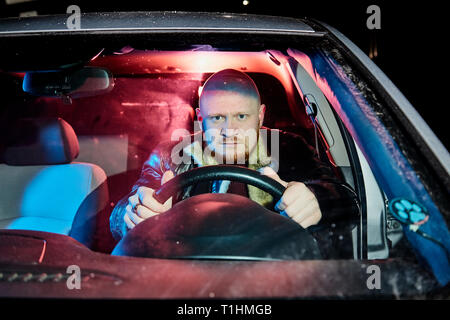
298 162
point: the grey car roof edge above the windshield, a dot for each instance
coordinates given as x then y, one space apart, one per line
159 21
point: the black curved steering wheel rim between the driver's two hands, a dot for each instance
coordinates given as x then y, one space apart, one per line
219 172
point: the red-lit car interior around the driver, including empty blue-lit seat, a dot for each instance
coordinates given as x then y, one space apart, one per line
89 150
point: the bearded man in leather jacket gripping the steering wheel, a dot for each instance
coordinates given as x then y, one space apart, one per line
231 116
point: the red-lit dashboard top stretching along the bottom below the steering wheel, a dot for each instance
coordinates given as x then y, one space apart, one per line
106 276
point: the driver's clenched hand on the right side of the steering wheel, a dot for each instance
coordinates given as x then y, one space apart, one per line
298 202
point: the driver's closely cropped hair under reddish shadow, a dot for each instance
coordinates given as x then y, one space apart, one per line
231 80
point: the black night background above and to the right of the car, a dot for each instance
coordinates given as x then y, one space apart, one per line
411 44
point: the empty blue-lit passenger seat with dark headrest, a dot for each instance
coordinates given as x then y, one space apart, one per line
42 189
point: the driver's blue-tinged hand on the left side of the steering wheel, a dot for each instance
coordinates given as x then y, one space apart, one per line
143 205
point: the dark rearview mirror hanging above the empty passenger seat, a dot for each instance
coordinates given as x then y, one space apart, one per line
85 82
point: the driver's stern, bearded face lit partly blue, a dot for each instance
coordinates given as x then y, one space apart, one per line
230 122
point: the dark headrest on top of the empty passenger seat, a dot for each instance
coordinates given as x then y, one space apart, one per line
43 141
